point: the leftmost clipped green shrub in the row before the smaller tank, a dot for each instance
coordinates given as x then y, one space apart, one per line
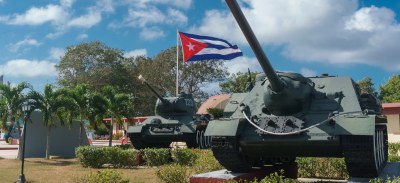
89 156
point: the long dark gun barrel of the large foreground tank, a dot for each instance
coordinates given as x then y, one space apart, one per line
276 84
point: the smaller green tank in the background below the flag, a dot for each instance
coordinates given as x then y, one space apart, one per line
174 121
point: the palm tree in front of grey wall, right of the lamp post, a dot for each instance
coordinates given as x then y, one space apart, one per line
53 104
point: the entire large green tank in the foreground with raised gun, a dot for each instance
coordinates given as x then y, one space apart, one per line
287 115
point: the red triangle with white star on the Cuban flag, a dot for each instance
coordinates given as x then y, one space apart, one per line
190 46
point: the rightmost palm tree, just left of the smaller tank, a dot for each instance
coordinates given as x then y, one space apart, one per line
119 105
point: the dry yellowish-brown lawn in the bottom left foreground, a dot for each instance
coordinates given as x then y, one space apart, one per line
40 170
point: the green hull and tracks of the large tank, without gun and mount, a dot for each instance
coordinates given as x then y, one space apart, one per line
330 126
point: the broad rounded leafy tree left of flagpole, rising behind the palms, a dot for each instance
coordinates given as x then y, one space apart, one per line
96 65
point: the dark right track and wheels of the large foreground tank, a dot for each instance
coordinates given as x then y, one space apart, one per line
366 156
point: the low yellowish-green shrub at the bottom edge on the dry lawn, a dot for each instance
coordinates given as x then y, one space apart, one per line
106 176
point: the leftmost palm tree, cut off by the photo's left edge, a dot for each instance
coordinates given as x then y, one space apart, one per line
12 99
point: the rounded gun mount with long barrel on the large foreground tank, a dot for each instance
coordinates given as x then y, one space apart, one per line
286 93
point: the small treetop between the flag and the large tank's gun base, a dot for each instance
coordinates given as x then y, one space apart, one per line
237 83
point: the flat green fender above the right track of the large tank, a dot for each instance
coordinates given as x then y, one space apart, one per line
356 125
